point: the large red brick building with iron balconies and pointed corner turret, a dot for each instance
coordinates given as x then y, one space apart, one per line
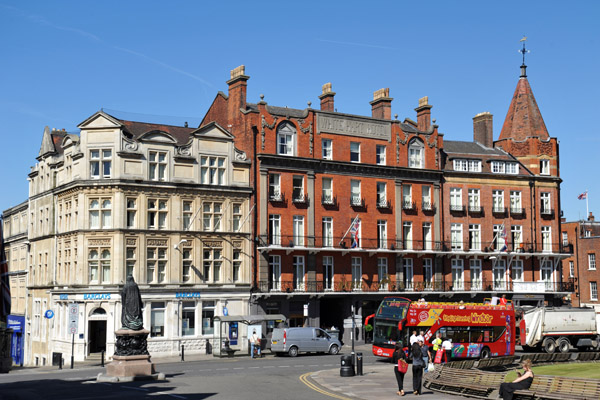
349 209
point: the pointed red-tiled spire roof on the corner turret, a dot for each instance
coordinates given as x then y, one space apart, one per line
524 118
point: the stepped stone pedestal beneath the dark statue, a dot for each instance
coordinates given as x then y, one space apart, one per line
131 360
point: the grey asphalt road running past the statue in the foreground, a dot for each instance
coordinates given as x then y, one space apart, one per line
238 378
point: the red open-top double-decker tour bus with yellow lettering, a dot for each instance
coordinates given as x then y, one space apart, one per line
477 330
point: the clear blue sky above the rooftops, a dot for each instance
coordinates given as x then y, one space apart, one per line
62 61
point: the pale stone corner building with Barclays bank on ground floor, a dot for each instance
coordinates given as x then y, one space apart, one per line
168 204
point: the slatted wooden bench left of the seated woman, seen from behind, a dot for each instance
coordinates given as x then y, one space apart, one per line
465 382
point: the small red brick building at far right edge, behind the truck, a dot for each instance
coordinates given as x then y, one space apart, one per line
584 235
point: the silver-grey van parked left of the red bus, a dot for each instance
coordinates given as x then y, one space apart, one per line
295 340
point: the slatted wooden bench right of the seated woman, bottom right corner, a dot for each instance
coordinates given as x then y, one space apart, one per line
545 387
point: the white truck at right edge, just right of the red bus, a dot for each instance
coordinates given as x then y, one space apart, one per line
551 329
